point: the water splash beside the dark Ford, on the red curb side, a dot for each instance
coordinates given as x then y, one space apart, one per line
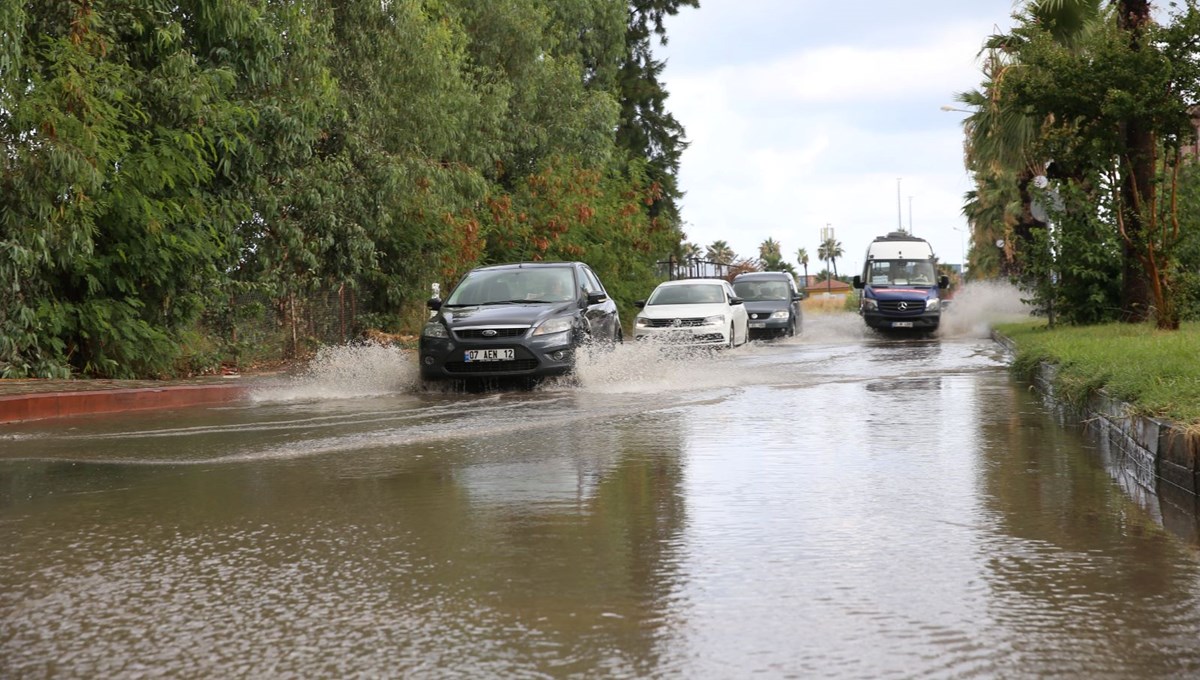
350 371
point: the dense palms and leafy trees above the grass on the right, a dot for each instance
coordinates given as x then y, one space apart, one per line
1079 142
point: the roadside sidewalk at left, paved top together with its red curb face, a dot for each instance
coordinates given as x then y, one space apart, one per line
40 400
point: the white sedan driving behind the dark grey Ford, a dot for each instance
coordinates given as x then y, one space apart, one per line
694 312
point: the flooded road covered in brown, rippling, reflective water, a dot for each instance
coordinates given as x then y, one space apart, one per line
835 506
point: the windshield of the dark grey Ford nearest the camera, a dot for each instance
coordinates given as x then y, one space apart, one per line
514 286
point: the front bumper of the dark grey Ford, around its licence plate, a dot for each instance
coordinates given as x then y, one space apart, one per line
446 359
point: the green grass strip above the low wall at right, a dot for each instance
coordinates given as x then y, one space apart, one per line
1156 372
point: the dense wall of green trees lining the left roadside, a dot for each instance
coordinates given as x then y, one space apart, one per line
165 159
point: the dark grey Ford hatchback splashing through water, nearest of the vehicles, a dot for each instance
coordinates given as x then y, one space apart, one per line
517 321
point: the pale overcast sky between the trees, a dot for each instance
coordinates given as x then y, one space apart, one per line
803 115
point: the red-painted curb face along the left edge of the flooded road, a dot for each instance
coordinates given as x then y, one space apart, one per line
22 408
